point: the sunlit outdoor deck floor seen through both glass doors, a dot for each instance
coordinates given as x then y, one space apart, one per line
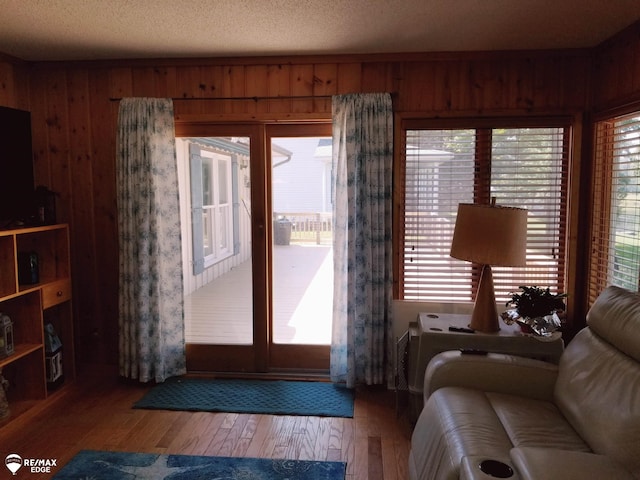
221 312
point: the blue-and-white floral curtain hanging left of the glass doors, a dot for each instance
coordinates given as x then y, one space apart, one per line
151 319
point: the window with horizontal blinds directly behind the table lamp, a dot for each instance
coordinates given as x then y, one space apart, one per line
521 167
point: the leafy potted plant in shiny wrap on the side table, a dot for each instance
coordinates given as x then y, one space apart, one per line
536 310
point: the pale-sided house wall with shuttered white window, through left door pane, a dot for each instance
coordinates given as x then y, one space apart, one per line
215 206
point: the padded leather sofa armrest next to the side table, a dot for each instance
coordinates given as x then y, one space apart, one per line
493 372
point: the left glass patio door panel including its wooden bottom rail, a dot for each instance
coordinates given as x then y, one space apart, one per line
215 186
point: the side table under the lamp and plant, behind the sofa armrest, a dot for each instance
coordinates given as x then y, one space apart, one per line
430 335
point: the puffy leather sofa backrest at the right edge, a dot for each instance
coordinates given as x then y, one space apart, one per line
598 387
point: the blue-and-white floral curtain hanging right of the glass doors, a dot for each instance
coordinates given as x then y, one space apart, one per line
362 343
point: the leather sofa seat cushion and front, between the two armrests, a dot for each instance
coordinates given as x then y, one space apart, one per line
459 422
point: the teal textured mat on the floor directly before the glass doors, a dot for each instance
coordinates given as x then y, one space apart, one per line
250 396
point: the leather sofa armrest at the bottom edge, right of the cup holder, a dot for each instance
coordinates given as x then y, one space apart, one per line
533 463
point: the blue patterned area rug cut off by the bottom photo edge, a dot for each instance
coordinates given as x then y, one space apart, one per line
89 464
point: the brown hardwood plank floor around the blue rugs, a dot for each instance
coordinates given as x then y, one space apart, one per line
95 413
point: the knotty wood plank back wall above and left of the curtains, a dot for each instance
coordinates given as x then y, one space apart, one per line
74 125
